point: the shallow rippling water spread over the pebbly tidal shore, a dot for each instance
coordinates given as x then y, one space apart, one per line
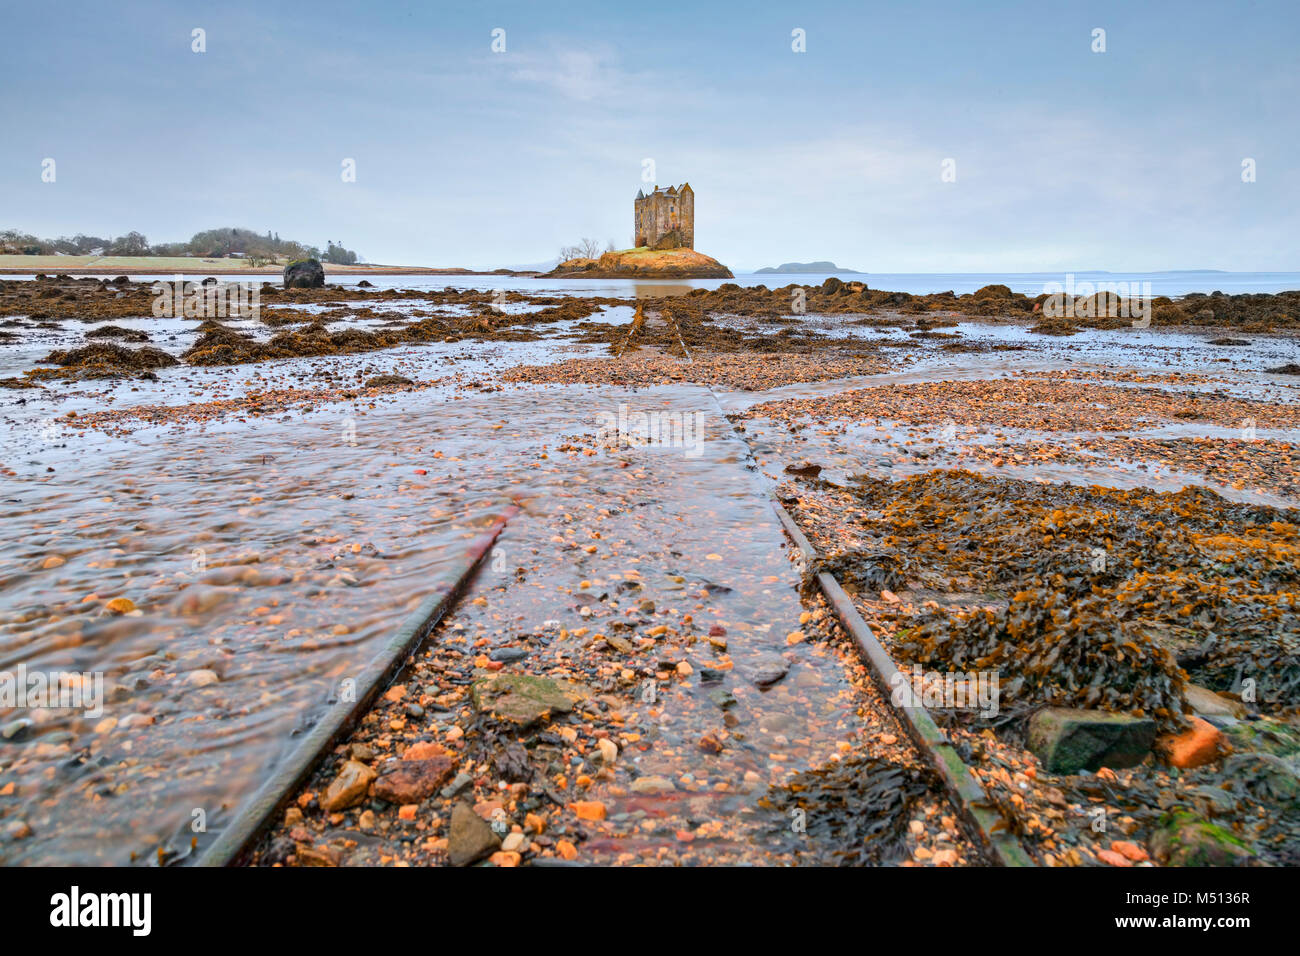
280 552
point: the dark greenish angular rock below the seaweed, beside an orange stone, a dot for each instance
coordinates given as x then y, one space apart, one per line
1069 741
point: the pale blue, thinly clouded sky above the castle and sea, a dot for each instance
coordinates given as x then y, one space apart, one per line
1059 158
